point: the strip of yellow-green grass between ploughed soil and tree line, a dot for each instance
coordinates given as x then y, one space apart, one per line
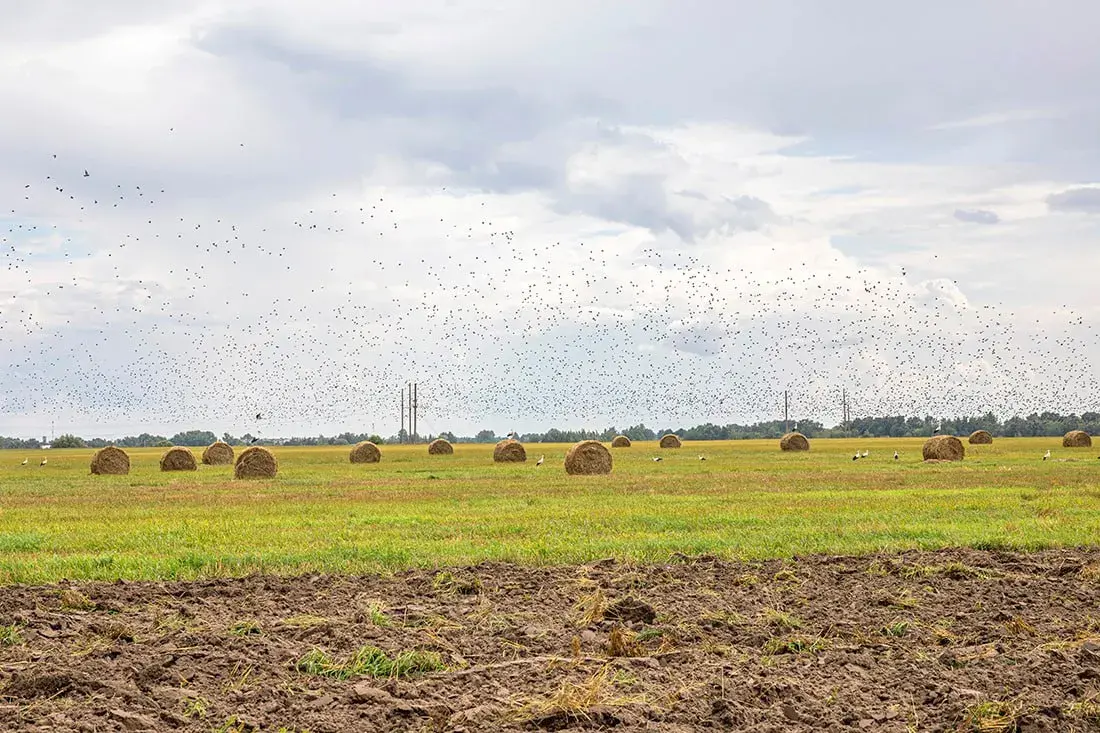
324 515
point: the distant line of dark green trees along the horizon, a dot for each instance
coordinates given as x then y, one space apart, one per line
897 426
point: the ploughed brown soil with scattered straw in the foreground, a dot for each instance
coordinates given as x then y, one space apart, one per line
950 641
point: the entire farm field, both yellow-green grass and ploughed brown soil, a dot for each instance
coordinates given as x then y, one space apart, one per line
754 590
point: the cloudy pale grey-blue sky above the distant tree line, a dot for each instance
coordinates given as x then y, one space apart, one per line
548 215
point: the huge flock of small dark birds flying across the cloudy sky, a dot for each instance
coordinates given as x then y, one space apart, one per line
124 301
